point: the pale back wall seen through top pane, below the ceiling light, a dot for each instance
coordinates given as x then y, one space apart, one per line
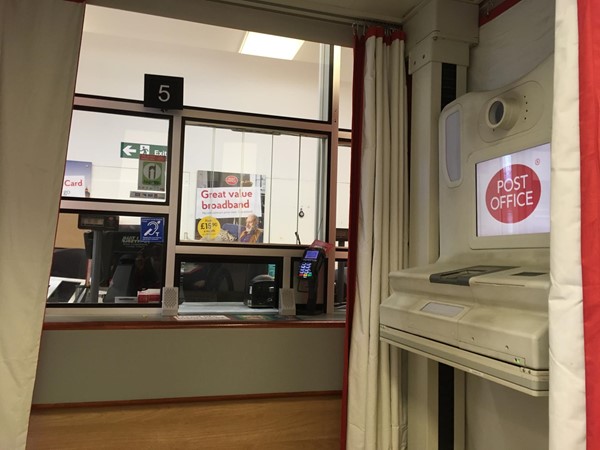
114 66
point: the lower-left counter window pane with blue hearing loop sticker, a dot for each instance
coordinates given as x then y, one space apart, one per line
107 259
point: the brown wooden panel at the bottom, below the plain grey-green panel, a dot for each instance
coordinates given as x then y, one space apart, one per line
278 424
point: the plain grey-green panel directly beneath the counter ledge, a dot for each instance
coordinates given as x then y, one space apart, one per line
78 366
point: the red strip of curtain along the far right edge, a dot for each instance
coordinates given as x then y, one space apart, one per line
589 96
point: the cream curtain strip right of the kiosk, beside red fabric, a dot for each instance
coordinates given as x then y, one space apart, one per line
567 369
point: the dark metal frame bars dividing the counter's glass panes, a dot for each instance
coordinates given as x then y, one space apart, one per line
170 209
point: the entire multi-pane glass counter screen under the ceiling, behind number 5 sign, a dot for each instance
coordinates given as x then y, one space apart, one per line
244 171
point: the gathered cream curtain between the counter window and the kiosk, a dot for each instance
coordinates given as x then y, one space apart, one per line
374 416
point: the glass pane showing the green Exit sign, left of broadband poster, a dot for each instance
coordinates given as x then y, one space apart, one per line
117 157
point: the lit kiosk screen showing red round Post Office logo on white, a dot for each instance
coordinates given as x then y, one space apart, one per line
513 193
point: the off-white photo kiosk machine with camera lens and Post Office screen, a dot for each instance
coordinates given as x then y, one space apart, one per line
482 307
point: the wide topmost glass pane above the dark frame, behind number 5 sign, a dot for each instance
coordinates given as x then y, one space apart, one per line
217 75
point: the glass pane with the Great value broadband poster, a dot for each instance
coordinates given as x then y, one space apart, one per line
252 186
